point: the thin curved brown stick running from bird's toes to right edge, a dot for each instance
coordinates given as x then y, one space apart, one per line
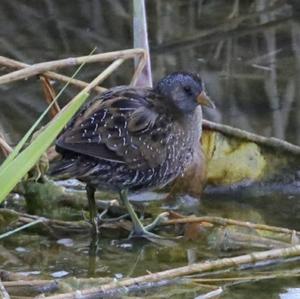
227 221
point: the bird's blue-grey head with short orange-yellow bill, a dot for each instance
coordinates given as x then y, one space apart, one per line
185 90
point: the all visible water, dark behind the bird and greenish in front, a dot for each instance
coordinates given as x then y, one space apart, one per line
251 66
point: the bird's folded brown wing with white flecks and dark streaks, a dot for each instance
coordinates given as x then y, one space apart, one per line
123 125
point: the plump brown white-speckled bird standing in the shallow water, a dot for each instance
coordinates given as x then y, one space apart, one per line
130 139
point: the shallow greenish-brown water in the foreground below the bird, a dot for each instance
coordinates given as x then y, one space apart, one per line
42 257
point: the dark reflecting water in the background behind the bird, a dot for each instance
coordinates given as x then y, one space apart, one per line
247 51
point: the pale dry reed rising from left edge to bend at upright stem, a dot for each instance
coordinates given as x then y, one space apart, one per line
55 64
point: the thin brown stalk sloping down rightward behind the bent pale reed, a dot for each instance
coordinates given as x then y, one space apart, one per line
11 63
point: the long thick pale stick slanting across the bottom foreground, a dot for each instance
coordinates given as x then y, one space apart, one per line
182 271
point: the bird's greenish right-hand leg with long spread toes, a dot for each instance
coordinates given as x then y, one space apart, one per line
138 229
